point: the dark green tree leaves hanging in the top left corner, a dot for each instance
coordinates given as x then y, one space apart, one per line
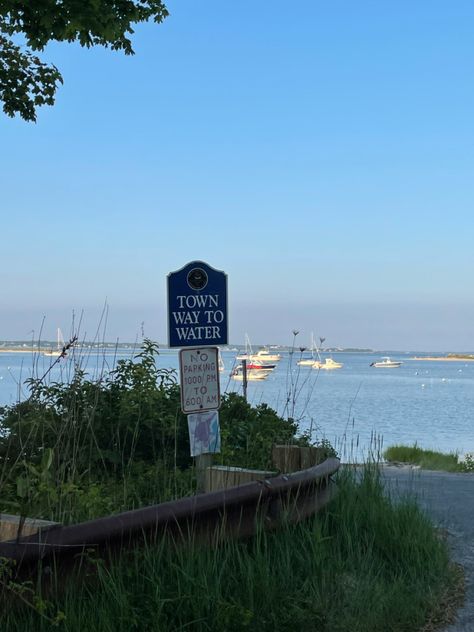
25 81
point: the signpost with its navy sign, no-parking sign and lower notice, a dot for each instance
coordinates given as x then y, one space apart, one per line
197 323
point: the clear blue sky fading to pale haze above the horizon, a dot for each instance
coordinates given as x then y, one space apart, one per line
321 153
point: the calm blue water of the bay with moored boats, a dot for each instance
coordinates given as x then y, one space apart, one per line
431 403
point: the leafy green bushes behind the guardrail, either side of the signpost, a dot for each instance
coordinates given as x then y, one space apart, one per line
89 447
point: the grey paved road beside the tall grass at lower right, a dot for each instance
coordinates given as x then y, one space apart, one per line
449 499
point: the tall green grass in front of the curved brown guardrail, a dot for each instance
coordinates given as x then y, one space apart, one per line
365 564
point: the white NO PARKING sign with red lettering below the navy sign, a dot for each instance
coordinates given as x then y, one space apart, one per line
199 372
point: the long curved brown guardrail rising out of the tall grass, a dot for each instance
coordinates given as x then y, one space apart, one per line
236 511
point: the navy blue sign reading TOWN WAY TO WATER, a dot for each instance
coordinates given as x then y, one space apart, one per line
197 306
